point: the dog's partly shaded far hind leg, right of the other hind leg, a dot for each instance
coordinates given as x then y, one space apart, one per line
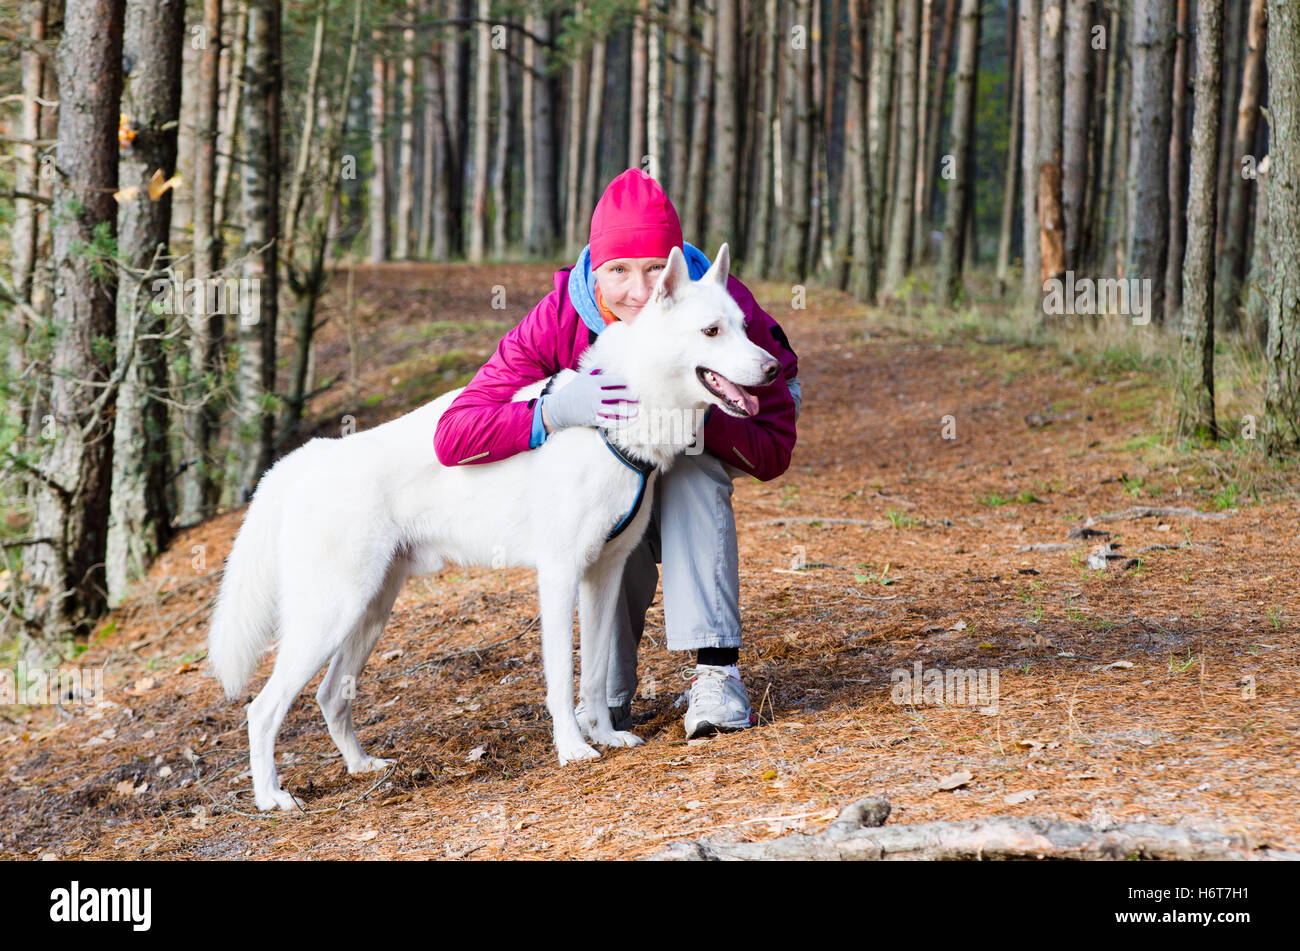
339 688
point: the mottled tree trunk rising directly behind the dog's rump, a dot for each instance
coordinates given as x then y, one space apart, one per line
261 186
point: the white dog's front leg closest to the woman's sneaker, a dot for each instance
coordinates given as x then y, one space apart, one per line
599 598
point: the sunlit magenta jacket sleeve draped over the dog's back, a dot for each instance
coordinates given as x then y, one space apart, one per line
484 424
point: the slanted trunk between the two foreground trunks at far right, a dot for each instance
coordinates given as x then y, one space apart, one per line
1232 263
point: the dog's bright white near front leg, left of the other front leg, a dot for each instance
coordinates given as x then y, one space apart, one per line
557 589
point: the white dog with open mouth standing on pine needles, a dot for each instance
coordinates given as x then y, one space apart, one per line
337 527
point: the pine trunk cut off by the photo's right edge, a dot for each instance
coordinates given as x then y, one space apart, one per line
1282 393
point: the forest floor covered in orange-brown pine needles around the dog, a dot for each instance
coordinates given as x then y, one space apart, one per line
1162 689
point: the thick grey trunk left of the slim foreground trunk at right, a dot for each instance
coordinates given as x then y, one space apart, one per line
1149 147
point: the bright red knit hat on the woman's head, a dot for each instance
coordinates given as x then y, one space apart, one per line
634 219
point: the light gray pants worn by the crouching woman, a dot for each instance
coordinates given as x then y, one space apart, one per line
692 533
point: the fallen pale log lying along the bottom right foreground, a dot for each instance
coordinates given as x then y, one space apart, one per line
859 836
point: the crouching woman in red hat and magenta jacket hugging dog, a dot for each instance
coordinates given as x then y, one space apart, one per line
692 527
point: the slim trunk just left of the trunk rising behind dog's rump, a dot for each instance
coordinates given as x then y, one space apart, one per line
201 414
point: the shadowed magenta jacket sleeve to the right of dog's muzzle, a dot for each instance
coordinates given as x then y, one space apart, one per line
764 444
